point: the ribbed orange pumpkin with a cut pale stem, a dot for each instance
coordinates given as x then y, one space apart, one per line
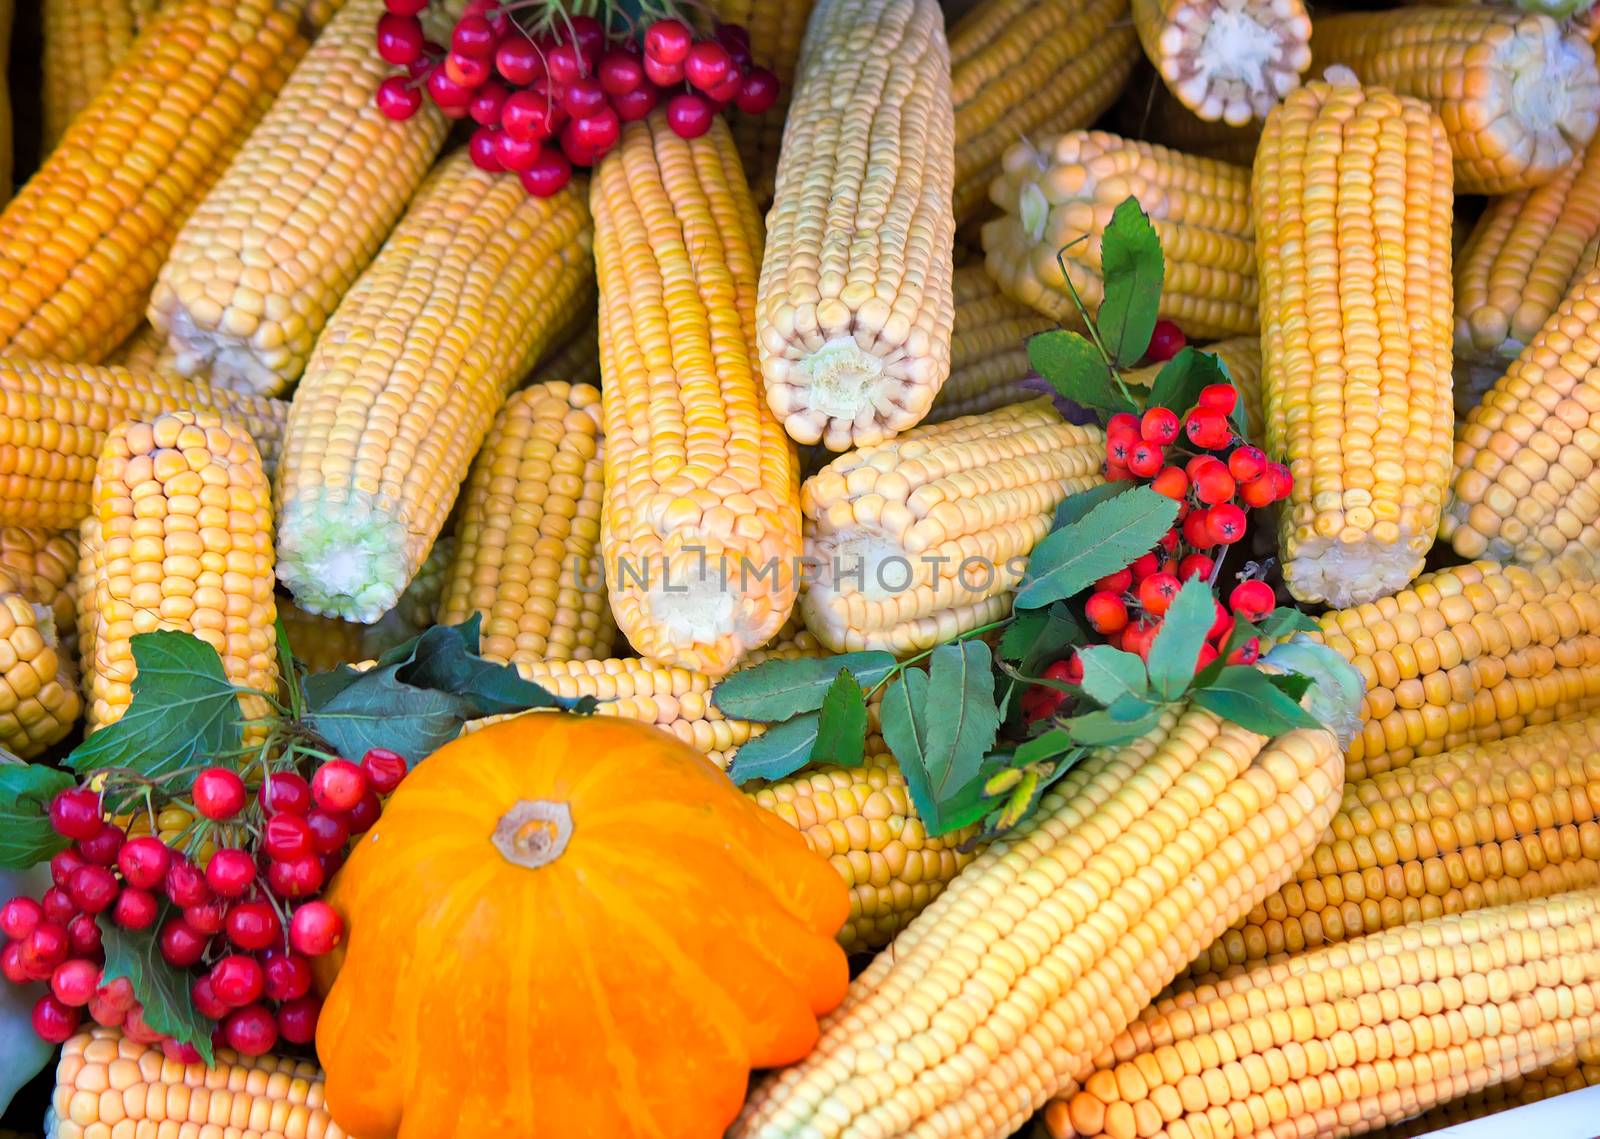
574 929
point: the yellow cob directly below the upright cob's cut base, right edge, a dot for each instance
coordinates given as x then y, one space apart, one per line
1466 655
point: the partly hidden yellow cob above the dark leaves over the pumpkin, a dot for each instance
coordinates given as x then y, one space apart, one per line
529 558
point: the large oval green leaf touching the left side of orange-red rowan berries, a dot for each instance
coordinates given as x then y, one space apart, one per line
1106 540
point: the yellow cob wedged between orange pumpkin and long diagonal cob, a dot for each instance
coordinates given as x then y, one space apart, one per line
862 820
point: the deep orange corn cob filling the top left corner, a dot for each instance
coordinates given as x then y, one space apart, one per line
82 242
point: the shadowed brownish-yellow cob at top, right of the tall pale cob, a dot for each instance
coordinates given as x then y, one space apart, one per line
1026 70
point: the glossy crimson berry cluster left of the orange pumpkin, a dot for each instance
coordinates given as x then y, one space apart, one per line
246 924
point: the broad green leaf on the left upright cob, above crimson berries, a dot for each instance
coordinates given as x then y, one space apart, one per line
185 711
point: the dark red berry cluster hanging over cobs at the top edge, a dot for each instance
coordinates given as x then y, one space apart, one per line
558 100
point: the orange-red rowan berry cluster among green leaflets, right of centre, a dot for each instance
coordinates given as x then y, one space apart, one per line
1220 481
